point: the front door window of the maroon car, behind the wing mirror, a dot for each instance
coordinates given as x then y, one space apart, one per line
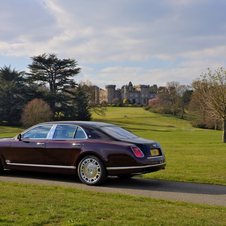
37 132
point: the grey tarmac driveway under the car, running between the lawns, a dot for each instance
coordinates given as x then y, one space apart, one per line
114 183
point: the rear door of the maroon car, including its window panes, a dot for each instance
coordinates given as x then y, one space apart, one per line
64 147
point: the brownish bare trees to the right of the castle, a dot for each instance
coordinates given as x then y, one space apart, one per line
204 101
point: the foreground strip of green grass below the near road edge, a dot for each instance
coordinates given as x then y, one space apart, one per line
32 205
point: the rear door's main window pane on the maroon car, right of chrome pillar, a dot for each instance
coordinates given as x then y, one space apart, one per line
64 132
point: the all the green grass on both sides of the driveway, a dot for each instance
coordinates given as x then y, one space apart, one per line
193 155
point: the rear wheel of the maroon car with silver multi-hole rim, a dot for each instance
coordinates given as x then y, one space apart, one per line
91 170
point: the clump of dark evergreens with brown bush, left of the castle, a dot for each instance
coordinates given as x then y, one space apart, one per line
47 92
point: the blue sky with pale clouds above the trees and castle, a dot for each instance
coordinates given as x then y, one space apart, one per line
117 41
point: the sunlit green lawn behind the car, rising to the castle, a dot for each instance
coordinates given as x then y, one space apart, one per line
193 155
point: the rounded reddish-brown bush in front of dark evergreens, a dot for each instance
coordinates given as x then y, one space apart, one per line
36 111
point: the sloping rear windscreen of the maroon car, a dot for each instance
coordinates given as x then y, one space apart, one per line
118 132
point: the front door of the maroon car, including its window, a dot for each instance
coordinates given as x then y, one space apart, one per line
30 149
